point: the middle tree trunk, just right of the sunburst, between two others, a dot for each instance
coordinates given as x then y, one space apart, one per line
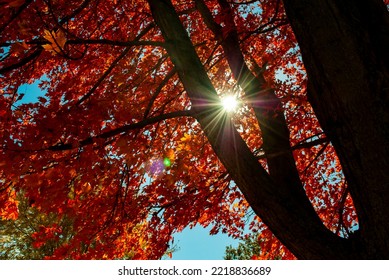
263 100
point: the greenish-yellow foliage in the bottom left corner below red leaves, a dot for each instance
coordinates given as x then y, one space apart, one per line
39 235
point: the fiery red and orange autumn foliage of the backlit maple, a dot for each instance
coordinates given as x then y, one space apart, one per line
113 143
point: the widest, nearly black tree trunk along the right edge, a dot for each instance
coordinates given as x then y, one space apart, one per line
345 46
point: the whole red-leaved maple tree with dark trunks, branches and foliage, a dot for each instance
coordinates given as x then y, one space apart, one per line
130 140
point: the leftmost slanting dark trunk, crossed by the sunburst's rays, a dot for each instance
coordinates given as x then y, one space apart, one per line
289 215
